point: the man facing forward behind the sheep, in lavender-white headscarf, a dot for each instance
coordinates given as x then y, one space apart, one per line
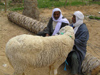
56 22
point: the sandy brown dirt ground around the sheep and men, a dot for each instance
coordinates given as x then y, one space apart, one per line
9 30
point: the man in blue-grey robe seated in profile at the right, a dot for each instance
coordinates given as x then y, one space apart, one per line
76 56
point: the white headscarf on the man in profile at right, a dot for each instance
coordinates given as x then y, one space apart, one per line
79 20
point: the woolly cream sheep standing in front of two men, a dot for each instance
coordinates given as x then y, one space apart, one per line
26 51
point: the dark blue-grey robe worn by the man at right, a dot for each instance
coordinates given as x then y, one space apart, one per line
81 38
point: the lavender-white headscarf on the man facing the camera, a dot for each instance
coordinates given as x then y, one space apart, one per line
59 20
